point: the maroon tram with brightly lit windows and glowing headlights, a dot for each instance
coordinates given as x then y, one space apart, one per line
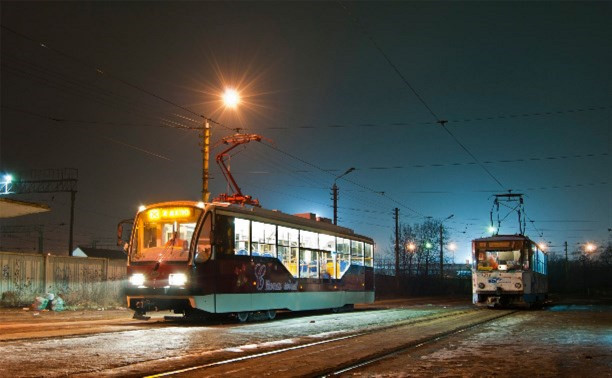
197 258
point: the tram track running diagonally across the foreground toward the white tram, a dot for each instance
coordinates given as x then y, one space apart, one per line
383 341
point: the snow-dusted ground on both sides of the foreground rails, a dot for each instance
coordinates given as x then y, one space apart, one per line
558 341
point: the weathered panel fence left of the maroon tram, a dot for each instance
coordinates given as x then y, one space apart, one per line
82 281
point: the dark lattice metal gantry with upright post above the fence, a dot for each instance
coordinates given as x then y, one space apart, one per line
51 181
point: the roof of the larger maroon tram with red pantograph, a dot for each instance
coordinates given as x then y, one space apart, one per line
275 215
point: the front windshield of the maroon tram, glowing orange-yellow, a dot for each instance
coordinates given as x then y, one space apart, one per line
164 234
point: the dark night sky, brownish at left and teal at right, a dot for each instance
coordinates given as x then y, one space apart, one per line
525 87
